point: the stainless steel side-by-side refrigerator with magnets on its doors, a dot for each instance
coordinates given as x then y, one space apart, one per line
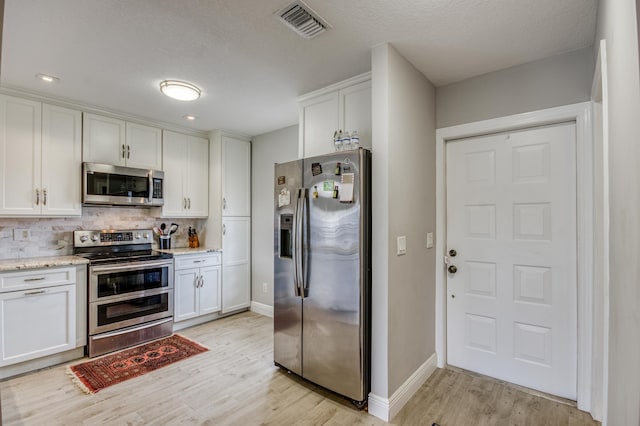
322 285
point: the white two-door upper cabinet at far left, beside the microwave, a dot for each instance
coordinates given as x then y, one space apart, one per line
41 162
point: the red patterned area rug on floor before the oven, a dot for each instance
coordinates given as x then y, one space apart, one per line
99 373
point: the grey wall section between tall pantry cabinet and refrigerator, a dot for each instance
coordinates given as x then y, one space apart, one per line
266 150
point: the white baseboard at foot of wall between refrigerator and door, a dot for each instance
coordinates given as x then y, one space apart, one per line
386 409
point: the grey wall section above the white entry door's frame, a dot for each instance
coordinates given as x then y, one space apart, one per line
554 81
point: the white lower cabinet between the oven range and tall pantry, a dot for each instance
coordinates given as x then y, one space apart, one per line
197 285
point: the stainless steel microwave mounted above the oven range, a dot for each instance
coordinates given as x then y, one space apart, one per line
121 186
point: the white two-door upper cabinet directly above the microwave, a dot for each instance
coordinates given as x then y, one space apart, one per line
120 143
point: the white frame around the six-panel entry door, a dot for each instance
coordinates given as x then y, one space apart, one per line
581 115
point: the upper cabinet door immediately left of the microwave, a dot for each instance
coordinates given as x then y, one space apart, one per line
61 161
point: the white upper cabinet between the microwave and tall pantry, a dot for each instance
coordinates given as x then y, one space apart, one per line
186 175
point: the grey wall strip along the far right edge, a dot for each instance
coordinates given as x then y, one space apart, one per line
617 24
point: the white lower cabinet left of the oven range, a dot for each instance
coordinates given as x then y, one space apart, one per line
39 319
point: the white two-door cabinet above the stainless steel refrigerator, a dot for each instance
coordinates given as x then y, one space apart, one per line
343 106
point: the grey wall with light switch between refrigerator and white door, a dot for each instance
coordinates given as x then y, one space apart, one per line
403 204
